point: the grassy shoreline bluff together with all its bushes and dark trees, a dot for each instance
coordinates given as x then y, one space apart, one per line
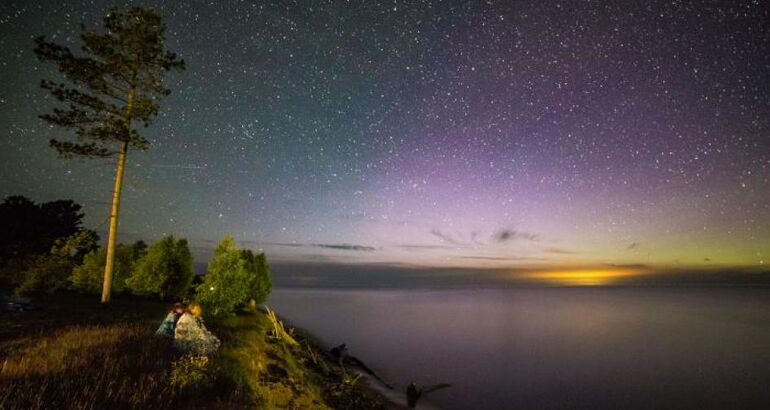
60 348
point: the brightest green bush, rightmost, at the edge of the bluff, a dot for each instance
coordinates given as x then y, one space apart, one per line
235 277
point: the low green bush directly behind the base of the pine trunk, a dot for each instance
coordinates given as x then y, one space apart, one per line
89 275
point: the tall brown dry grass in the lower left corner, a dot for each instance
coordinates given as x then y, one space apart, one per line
89 367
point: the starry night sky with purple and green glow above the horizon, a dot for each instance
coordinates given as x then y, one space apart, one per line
430 133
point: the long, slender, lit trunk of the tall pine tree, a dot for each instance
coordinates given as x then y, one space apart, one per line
113 235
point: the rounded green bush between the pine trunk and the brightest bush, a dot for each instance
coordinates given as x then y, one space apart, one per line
165 270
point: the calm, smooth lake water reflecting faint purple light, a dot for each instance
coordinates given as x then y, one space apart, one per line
554 347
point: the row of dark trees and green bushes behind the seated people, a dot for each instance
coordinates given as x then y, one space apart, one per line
45 249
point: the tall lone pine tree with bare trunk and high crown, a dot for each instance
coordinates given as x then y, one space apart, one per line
116 83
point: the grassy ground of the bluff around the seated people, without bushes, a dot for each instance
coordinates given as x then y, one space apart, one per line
74 353
